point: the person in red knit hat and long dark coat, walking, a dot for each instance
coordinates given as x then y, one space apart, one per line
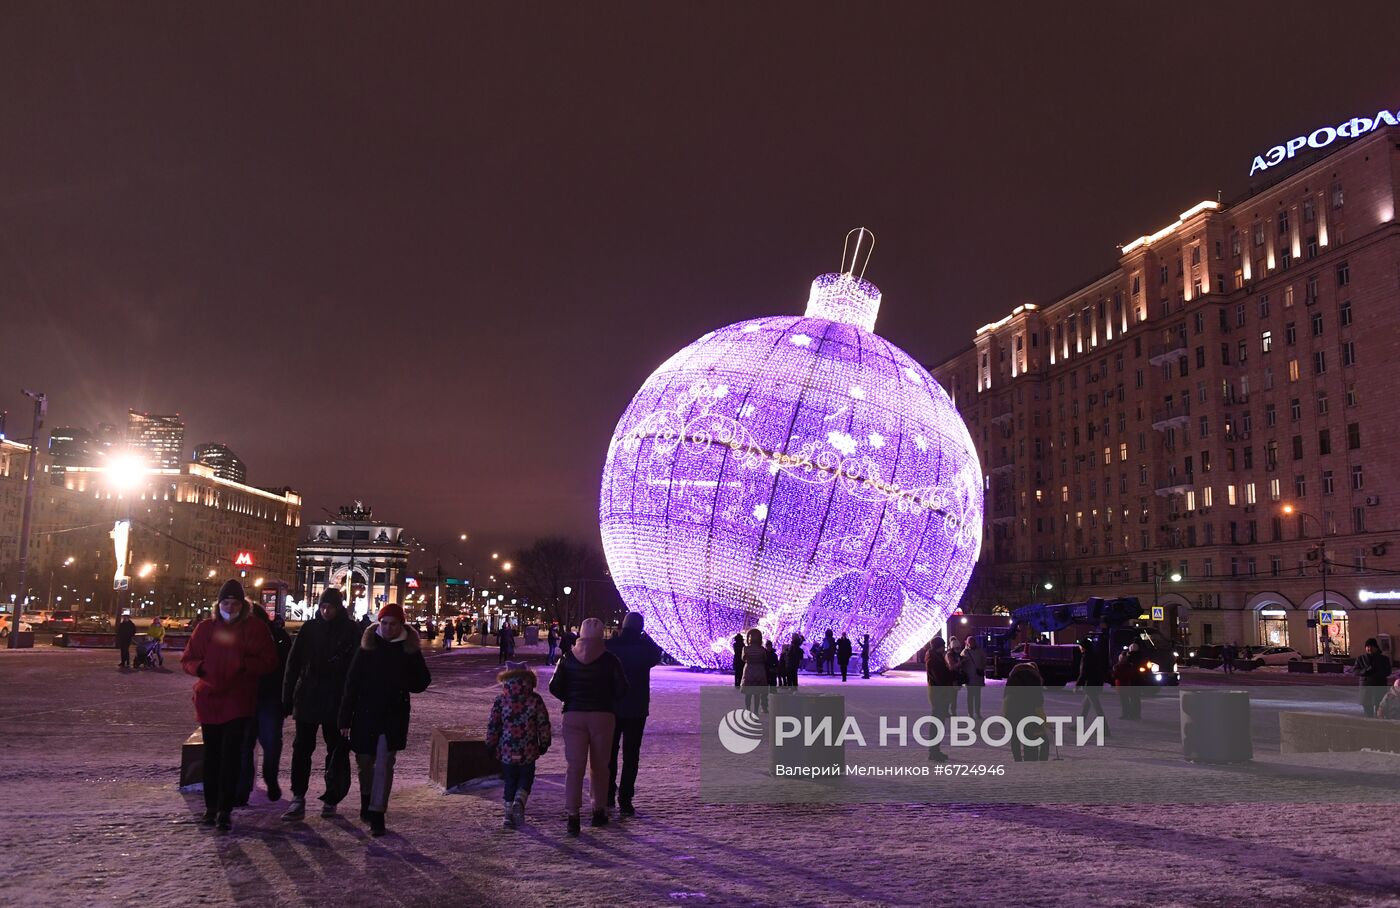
374 710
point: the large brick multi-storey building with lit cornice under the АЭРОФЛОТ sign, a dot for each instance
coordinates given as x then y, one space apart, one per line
1217 408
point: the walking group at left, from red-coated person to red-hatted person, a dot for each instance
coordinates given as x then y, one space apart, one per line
349 683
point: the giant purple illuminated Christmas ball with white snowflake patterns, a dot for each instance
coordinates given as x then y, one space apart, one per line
793 475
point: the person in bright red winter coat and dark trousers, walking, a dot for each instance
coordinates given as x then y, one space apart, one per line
227 654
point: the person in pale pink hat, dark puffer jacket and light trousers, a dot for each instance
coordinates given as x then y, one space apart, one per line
589 681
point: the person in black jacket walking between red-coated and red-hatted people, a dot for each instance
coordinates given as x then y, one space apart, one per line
311 690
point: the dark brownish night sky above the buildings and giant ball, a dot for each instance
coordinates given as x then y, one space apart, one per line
423 255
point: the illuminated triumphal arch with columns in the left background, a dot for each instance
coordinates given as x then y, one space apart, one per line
365 559
